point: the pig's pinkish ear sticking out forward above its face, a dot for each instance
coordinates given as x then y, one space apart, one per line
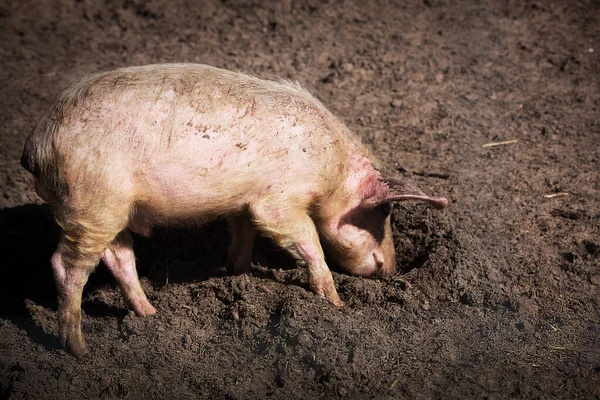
392 189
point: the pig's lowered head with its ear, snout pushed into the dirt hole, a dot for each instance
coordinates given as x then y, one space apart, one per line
359 239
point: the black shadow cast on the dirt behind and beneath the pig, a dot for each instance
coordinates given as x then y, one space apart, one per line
29 235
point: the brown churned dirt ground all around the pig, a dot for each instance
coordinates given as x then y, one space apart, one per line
498 296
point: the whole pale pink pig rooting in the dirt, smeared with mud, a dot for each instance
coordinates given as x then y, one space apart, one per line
126 150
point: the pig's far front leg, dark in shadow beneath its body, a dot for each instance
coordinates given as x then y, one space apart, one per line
239 255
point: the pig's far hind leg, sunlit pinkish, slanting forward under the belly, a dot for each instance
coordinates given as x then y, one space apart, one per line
120 260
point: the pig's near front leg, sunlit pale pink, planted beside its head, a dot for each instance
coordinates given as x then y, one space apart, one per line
295 231
